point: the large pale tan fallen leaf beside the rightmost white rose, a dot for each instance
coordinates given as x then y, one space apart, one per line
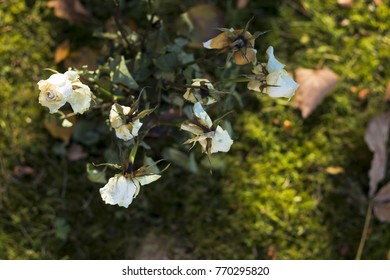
314 85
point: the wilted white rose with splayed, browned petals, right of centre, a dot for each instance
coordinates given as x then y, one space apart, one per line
219 139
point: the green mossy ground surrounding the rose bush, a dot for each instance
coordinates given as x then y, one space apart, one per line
272 199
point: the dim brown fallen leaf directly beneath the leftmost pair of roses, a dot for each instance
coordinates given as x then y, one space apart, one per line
53 125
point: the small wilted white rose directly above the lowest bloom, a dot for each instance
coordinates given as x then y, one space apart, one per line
123 130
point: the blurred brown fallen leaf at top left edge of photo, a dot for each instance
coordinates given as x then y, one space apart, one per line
70 10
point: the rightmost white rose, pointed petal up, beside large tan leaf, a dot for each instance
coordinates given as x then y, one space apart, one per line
280 83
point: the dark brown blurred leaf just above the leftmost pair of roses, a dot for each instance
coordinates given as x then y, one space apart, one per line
83 56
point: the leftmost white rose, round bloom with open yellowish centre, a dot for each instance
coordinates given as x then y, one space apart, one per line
55 91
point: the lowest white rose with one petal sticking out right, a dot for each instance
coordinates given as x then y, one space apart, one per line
122 190
